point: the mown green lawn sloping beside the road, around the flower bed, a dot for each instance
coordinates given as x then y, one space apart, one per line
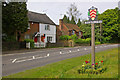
68 68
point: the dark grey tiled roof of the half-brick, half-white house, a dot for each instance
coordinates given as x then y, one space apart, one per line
38 17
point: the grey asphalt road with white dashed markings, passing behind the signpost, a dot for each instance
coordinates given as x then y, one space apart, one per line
14 63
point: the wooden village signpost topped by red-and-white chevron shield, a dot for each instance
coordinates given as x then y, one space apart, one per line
92 15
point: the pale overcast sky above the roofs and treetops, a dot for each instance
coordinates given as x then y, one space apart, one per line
55 9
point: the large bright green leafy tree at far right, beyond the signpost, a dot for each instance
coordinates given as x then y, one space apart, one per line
110 25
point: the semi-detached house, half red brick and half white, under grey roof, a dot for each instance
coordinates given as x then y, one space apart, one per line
40 28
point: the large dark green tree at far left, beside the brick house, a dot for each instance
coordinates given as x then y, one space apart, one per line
14 18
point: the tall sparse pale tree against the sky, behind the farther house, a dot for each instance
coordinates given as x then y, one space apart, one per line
73 11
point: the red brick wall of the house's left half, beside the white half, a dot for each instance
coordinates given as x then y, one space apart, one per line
33 28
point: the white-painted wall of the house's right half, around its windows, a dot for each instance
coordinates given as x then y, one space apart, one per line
50 33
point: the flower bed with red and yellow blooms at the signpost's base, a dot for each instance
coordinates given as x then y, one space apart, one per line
96 68
